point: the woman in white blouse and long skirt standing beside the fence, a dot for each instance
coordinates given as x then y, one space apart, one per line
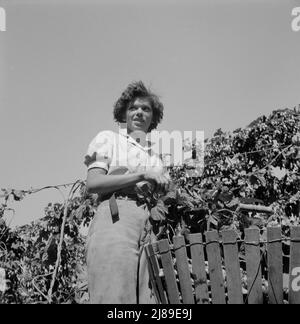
119 166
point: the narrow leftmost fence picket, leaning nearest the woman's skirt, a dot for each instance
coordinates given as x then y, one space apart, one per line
154 268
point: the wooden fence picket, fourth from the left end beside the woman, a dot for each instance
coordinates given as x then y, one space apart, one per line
198 268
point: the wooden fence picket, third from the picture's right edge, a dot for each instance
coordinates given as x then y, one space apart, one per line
253 266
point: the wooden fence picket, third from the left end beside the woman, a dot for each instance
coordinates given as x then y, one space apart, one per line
183 270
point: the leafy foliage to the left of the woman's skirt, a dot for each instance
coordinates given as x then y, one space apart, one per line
29 253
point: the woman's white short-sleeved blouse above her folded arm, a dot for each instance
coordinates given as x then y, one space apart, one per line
110 150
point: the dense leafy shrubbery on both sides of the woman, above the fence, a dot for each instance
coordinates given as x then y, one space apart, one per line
245 172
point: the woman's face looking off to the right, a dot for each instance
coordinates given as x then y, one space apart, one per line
139 115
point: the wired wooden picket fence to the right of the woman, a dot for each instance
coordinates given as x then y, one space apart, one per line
210 271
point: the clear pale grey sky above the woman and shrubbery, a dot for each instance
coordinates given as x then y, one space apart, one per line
63 64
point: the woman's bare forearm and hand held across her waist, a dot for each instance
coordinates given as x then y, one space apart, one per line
98 181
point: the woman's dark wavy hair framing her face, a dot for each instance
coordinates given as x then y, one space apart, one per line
138 90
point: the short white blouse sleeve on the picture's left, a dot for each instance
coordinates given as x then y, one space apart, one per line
100 151
